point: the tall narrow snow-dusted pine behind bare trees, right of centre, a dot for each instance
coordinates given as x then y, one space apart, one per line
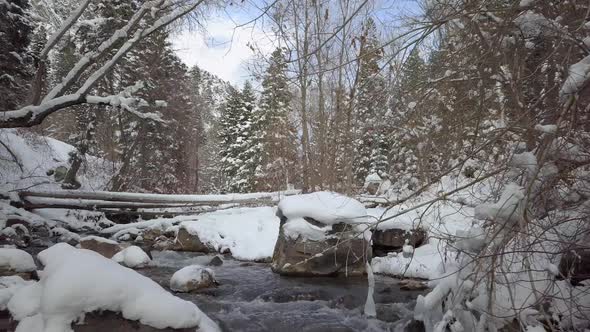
371 143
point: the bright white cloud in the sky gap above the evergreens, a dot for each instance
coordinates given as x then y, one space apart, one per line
223 49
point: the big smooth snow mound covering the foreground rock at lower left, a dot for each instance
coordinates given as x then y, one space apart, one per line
78 281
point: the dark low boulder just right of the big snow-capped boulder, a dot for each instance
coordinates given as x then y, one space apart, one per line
393 240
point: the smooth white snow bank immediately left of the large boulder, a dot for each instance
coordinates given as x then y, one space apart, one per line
249 233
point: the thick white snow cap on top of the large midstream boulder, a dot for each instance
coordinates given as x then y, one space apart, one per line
325 207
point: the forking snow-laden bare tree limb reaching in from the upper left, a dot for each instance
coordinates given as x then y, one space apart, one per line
143 23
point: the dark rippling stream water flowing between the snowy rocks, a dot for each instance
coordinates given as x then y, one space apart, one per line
252 298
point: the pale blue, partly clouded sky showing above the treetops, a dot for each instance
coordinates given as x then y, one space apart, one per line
224 48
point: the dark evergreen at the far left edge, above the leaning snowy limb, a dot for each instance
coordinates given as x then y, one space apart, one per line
15 56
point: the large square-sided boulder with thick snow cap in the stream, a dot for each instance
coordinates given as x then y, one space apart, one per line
321 234
